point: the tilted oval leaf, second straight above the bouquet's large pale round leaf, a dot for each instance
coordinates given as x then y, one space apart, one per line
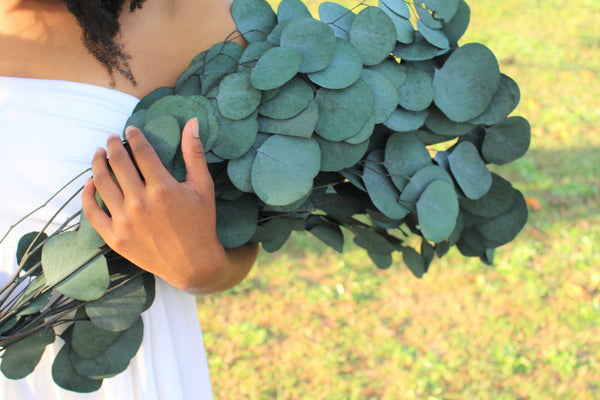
292 98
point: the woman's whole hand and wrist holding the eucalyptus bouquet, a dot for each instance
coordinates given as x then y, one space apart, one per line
163 226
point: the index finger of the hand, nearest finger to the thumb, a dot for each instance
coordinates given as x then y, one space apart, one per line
145 157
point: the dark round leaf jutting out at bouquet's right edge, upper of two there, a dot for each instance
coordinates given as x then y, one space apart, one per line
506 141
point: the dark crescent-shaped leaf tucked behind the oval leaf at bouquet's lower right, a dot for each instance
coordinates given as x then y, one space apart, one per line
496 201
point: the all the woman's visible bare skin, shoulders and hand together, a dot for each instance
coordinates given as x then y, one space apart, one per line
163 226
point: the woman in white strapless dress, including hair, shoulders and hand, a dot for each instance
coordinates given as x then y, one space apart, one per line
70 74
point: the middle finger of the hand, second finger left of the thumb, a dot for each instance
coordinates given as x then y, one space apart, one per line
123 167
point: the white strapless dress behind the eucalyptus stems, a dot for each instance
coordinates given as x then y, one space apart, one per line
49 131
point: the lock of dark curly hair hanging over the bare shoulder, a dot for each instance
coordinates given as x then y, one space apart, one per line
99 20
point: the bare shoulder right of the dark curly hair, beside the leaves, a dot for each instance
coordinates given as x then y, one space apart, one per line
164 35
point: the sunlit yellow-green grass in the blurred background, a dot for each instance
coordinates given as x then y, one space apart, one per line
309 323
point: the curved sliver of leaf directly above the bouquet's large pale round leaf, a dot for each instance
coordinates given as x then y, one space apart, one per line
302 125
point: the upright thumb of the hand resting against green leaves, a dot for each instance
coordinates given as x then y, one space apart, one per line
193 155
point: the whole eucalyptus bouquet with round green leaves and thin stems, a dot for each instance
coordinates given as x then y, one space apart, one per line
371 122
